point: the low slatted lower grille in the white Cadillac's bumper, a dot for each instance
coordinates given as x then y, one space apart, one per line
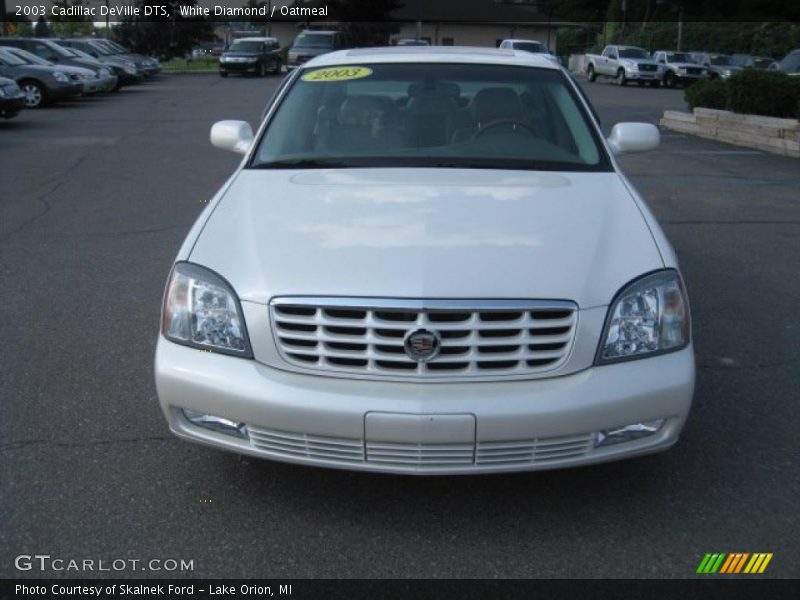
420 456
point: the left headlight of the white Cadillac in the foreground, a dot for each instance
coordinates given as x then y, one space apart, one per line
201 310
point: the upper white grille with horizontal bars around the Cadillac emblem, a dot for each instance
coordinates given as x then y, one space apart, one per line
476 338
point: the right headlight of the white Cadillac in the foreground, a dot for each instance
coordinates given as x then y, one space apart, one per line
649 316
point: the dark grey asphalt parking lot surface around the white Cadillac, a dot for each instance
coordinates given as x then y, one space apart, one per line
95 199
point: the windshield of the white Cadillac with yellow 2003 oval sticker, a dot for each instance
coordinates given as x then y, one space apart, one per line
430 115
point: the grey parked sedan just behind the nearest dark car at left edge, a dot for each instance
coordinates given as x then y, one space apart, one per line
42 85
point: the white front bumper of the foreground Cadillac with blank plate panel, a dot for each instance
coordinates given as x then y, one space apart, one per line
430 428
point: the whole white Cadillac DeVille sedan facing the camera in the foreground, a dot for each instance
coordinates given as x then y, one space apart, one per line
427 262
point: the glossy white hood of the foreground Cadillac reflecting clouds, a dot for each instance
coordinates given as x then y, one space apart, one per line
427 233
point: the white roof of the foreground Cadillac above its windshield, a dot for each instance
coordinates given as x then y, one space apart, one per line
432 54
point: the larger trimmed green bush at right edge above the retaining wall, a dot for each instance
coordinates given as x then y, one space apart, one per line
768 93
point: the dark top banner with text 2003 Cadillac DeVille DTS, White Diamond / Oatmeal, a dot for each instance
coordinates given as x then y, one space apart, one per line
439 11
